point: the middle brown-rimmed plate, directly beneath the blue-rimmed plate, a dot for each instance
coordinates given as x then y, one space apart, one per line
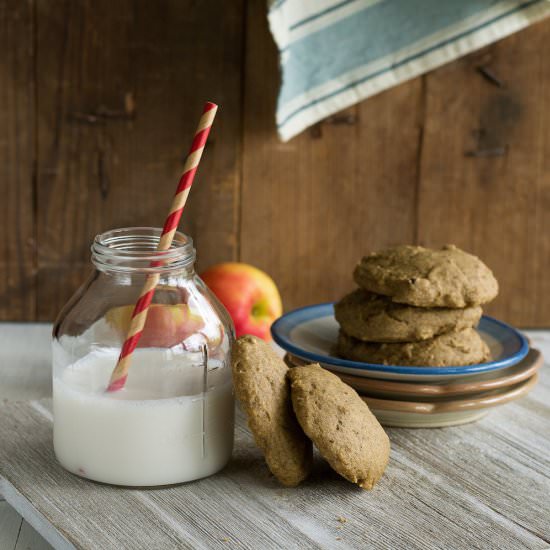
485 381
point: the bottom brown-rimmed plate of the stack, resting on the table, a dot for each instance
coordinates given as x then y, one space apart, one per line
445 412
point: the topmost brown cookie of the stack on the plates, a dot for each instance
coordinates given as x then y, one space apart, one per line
423 277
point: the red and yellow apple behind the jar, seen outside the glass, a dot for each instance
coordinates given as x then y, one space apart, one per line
249 295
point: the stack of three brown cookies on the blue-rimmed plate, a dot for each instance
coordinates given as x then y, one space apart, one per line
416 306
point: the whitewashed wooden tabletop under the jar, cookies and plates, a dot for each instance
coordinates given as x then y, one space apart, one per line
482 485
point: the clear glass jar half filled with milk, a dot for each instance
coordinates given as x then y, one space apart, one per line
173 419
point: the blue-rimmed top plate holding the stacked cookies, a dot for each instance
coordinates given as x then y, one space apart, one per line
311 333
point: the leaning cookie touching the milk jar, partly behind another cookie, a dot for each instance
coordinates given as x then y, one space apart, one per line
259 378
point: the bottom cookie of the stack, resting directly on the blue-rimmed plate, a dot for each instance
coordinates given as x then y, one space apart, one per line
463 347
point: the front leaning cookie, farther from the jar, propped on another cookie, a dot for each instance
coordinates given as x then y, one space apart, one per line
340 424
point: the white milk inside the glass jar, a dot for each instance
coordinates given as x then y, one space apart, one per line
160 429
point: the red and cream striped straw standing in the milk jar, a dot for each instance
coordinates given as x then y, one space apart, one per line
120 372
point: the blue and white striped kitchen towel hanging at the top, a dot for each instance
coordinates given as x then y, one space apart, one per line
334 53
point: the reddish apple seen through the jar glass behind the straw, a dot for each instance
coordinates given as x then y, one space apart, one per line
165 325
